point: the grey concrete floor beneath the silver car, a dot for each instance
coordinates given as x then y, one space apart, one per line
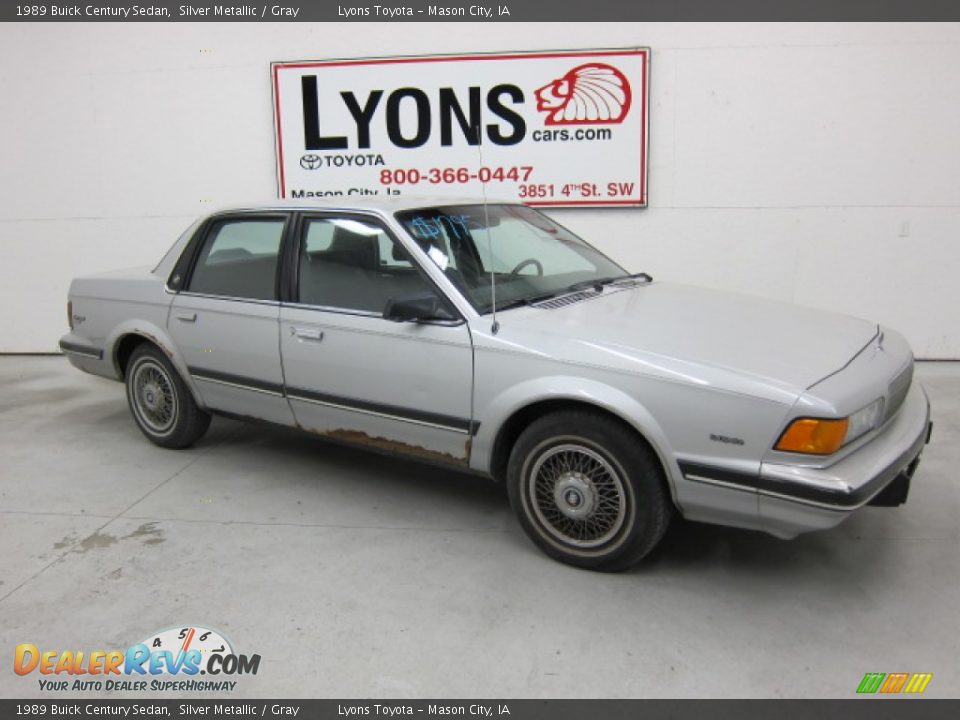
353 575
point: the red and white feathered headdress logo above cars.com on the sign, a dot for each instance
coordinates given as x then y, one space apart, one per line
591 94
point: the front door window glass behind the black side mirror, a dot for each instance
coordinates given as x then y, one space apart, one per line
354 264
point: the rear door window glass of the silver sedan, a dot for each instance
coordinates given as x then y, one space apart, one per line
239 259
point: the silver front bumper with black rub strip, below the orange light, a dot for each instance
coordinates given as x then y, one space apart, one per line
796 499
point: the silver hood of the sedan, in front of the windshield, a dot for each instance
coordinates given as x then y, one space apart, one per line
679 329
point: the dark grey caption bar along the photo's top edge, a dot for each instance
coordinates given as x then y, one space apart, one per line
498 11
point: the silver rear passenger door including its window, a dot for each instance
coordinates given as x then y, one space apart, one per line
226 320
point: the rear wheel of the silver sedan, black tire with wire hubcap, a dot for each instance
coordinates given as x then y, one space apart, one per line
160 402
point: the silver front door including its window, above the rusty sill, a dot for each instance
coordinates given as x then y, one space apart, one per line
351 374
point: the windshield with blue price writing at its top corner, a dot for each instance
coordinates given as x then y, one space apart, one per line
530 256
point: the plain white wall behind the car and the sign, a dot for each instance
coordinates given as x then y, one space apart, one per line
816 163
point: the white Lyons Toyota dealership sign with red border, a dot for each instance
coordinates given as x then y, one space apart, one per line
546 128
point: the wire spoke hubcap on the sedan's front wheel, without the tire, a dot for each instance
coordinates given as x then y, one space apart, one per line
577 495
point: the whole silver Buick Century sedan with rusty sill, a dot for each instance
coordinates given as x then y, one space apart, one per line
488 337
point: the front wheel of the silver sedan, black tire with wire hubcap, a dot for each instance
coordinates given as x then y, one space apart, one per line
588 490
